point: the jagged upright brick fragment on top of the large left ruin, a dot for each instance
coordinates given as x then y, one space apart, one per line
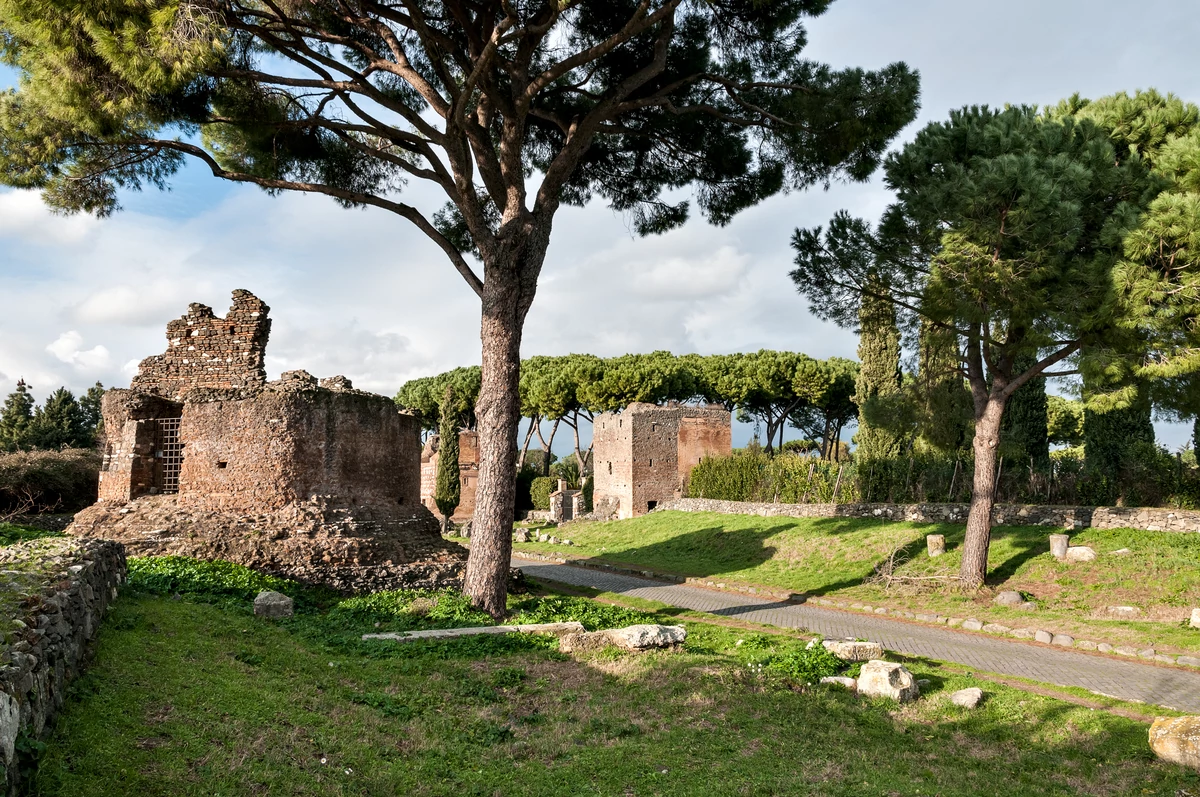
206 351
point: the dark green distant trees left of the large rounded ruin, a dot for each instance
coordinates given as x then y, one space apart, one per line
61 422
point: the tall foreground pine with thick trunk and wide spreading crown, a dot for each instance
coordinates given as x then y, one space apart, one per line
506 109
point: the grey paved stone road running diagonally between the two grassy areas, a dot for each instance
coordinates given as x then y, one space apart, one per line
1169 687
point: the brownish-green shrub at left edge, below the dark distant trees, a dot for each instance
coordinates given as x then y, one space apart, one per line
53 481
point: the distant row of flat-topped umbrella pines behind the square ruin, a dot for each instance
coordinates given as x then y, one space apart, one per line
775 391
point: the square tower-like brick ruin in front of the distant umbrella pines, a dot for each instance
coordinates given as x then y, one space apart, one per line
644 456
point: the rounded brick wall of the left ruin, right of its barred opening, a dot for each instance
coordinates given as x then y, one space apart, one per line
293 441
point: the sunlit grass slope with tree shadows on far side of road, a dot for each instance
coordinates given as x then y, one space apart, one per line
831 558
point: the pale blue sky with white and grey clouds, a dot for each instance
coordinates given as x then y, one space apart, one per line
364 295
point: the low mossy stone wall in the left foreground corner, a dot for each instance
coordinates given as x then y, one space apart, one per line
53 594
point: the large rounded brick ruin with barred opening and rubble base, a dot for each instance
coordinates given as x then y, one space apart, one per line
313 481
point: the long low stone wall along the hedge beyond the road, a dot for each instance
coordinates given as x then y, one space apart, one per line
1149 519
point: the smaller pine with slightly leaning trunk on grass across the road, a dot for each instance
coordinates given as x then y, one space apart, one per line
1007 229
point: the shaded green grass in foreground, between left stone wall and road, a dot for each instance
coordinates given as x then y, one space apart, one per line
196 697
